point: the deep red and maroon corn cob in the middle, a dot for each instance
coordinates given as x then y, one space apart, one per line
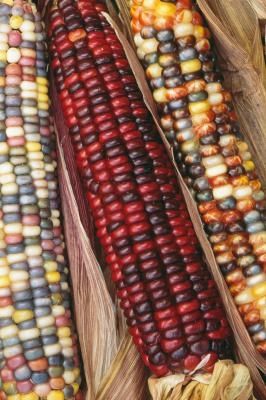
166 292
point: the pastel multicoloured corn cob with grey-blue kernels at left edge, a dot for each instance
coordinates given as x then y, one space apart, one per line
38 350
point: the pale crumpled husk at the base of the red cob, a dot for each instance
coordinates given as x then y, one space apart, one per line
229 381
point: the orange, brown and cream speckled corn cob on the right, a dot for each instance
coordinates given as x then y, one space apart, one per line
199 120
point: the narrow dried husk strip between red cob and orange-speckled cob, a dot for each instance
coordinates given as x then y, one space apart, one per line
245 349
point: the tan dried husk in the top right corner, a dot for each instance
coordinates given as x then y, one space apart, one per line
236 31
